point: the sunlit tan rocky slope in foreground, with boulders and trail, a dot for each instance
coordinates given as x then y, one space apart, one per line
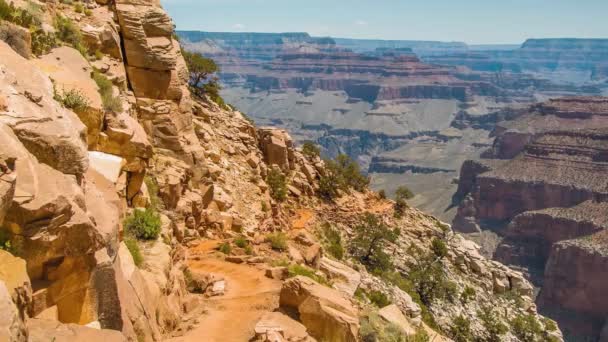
102 127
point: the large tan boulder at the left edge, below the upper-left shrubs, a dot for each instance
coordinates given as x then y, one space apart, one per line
56 136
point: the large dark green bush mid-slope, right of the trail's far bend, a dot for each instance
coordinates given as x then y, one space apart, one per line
371 237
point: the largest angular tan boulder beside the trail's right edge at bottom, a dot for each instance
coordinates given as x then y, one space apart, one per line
326 314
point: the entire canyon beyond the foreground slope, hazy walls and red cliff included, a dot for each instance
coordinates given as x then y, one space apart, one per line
505 142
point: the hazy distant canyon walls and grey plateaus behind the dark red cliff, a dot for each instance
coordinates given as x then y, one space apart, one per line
409 112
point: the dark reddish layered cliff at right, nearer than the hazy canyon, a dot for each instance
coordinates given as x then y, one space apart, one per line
543 182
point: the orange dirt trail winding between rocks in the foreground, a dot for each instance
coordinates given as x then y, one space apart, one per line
232 317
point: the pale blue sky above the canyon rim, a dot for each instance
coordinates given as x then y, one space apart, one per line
471 21
